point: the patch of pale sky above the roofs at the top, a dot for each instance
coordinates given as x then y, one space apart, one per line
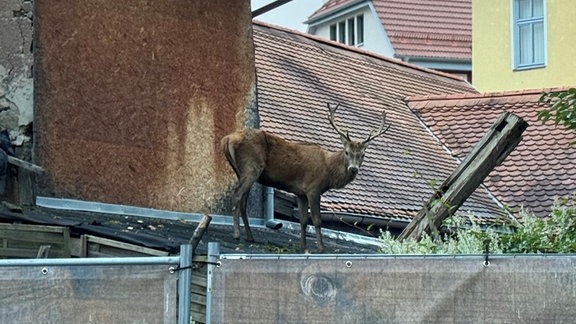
290 15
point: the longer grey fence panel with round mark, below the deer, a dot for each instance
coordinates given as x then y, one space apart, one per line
511 289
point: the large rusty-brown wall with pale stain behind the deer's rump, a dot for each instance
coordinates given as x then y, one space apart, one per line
132 98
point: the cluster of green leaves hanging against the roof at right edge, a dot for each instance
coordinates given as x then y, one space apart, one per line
561 108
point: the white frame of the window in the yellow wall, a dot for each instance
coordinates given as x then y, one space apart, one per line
516 23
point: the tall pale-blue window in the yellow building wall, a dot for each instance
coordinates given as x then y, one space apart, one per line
529 34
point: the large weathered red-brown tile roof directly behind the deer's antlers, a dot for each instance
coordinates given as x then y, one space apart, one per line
299 73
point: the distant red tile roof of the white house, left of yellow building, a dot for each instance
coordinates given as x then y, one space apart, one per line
434 29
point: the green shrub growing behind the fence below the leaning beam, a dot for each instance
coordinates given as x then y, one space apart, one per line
529 234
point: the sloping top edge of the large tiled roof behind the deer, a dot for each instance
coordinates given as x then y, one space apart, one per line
356 50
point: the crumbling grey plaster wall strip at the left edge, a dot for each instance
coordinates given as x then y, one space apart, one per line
16 80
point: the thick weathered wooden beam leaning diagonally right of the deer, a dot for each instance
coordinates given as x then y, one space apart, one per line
496 144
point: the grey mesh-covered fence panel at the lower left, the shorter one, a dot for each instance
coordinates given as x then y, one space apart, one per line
90 293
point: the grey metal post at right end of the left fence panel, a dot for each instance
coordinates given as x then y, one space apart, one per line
184 283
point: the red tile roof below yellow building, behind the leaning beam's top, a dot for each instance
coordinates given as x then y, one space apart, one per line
541 167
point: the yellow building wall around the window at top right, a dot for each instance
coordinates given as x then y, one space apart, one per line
492 68
